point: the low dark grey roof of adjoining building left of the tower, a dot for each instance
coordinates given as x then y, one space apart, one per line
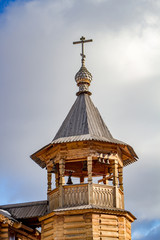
26 210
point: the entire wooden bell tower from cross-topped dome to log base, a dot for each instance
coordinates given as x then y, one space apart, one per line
90 203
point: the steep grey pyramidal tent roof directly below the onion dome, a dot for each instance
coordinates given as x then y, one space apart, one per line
84 122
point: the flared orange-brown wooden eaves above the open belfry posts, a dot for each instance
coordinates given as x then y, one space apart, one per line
57 151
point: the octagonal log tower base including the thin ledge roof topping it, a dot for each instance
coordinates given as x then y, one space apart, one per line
87 223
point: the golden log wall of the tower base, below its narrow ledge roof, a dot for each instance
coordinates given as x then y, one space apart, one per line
87 226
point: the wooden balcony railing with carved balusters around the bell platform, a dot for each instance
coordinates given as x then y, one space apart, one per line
85 194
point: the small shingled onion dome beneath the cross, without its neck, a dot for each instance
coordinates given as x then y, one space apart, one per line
83 75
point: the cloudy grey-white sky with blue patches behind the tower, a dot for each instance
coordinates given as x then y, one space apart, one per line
38 63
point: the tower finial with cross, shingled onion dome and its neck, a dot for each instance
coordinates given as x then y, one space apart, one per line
83 77
